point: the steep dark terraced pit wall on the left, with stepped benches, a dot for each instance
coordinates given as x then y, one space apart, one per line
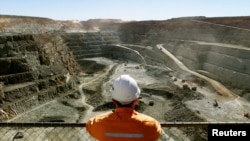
38 68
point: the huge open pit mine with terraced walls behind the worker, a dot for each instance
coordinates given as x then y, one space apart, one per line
192 69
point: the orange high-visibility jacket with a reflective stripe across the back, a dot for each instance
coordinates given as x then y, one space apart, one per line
124 124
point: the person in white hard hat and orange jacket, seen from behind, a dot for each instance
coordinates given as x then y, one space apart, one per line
124 123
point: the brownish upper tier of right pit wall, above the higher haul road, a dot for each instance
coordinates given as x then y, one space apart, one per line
154 32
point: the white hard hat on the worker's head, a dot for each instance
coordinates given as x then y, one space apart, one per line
125 89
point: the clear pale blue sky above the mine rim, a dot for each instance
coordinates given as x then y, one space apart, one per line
124 9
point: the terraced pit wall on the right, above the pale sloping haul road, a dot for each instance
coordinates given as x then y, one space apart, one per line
220 61
